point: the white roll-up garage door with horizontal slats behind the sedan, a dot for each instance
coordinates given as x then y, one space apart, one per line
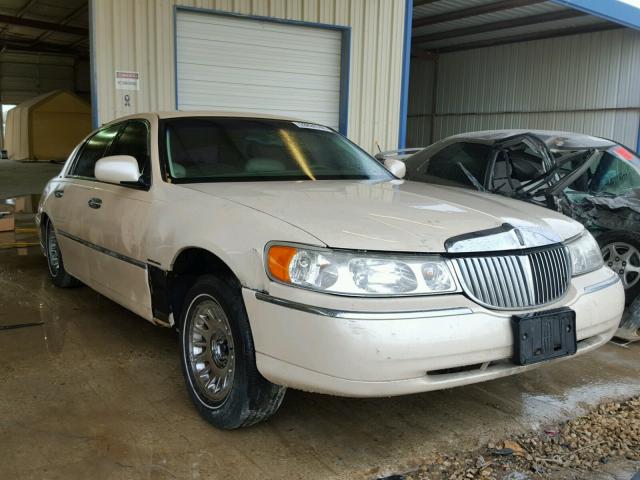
237 64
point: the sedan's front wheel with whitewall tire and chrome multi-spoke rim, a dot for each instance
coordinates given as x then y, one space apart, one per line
225 386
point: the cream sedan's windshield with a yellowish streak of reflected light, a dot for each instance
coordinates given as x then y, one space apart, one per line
217 149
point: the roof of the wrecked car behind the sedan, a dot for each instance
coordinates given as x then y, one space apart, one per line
553 139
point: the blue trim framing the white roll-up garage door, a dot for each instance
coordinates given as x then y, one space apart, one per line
345 57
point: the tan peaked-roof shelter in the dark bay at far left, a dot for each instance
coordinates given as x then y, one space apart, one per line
47 127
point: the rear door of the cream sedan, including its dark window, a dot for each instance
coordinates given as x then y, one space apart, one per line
70 204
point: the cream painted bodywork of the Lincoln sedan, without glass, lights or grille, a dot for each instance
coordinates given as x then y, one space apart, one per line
368 356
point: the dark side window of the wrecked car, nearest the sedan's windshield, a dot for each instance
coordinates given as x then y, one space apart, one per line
453 165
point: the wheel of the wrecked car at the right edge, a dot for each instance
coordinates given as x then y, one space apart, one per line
621 253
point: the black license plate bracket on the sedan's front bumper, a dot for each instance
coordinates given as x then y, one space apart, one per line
545 335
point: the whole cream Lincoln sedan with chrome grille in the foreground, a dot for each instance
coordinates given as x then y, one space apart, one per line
288 257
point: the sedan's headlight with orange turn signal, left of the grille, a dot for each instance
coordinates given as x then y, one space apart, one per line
354 273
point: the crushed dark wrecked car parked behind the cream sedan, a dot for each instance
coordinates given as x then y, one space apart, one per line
593 180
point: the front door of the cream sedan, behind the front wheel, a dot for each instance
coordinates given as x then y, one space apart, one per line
119 224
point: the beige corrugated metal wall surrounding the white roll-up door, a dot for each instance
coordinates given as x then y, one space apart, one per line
139 36
